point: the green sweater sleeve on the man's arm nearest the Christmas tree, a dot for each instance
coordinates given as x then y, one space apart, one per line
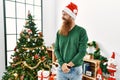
57 50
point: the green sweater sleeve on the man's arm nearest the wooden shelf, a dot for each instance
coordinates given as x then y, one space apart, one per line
82 47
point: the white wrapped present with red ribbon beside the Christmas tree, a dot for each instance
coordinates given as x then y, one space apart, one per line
43 75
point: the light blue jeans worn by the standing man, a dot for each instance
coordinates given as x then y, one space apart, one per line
74 74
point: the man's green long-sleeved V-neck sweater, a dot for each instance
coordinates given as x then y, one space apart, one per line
71 47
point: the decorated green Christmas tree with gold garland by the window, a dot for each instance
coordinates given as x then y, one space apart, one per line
30 54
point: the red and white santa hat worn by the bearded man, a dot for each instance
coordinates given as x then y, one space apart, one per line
71 9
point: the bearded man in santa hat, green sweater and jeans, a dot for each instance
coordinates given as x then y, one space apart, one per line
70 45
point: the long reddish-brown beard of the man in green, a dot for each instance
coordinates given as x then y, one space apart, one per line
66 26
